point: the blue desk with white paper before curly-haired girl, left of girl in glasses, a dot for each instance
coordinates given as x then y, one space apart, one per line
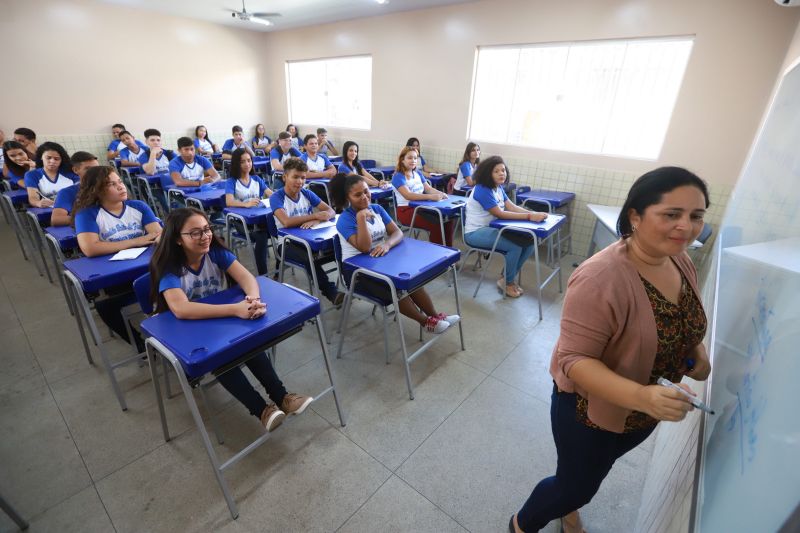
93 274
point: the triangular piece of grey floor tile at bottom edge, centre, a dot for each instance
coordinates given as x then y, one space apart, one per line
397 508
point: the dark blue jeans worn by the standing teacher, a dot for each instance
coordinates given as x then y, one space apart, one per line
585 457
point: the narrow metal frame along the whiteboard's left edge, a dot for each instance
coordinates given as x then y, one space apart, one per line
694 516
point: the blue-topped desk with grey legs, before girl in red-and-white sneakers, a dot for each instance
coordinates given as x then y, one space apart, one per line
407 267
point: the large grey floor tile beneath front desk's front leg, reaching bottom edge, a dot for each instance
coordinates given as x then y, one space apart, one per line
306 465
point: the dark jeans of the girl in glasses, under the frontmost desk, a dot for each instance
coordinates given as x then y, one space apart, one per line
240 387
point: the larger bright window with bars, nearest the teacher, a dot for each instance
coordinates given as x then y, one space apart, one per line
601 97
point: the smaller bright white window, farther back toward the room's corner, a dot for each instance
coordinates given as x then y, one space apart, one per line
331 92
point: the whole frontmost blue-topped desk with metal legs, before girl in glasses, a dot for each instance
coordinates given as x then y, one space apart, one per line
196 348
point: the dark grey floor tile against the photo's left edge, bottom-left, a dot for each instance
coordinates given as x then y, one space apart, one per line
41 465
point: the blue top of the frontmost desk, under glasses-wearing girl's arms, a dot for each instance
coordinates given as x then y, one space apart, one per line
205 345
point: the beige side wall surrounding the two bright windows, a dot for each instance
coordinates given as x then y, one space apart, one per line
423 62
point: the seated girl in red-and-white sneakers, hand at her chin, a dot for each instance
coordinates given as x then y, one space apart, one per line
364 227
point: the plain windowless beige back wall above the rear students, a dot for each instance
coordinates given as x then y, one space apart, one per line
81 65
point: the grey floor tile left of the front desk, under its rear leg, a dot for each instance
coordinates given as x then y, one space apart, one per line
107 437
